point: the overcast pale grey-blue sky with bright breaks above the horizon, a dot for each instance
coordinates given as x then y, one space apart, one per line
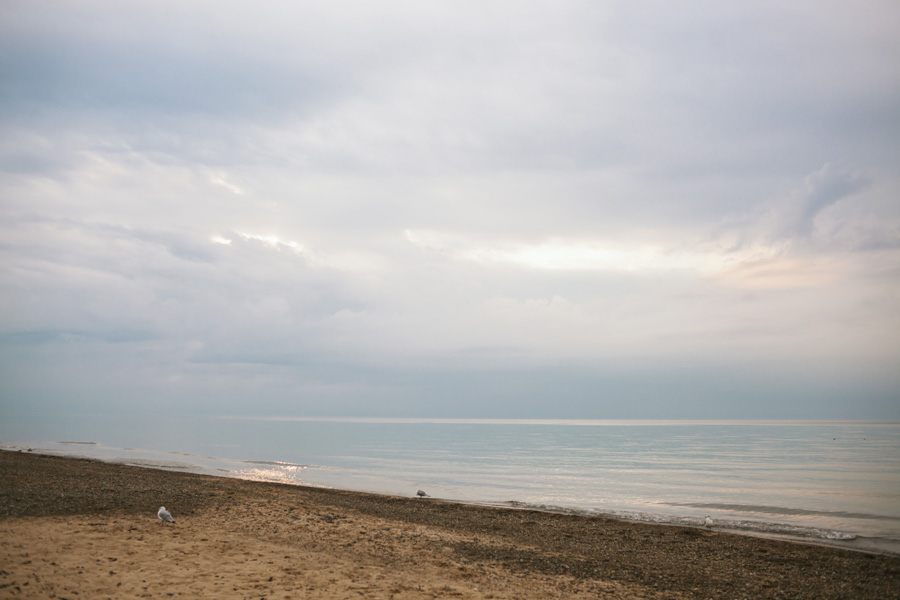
492 209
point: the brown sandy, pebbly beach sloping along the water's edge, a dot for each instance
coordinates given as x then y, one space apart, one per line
75 528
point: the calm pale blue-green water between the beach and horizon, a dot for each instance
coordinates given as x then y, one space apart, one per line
827 482
